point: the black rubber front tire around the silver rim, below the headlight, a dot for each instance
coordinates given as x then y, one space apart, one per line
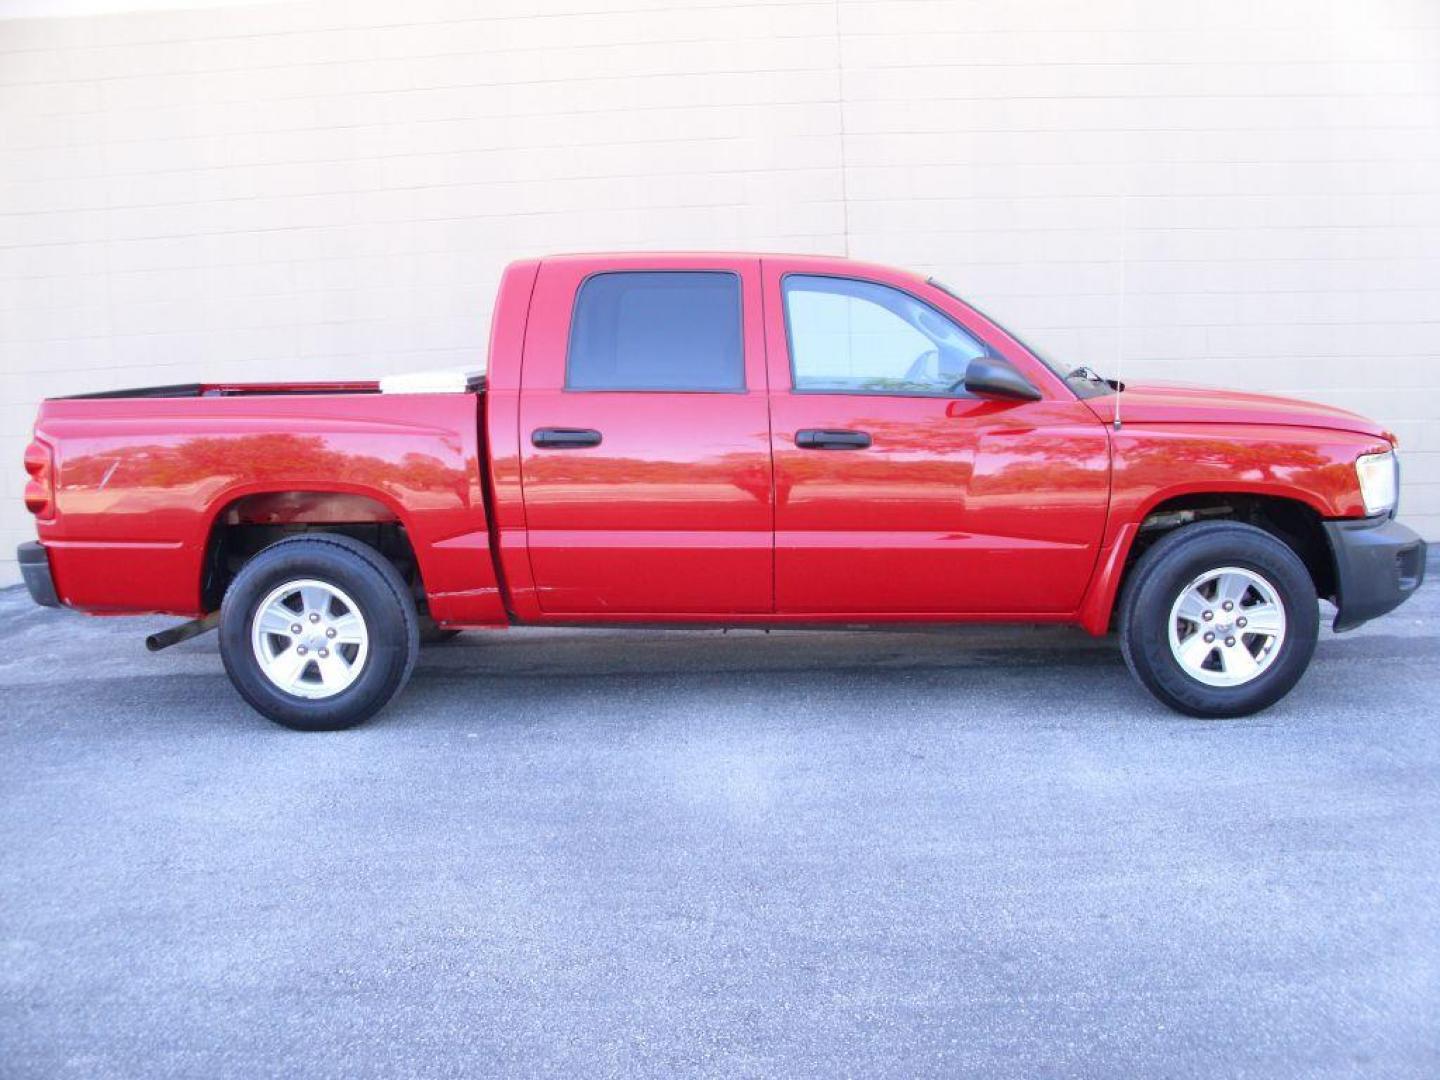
1167 570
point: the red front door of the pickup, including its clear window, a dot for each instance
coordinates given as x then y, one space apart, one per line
896 492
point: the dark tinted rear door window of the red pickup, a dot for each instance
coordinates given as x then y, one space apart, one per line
657 332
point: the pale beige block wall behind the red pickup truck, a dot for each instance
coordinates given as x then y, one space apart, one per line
328 189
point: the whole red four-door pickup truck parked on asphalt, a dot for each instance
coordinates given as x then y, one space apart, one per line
725 440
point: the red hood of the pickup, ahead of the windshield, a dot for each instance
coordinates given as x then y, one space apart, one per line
1182 404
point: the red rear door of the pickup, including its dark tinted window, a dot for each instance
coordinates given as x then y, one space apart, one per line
644 426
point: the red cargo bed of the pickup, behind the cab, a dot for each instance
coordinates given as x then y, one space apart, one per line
143 477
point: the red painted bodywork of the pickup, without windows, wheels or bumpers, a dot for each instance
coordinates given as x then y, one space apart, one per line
693 506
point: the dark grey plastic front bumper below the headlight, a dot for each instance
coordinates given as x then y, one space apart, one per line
1379 564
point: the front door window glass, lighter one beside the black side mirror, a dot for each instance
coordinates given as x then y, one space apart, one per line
860 338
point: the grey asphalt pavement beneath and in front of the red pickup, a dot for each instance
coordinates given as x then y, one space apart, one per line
584 853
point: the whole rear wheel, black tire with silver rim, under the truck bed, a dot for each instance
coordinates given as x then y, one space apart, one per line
319 633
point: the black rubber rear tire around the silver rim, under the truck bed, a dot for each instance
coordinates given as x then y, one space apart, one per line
385 604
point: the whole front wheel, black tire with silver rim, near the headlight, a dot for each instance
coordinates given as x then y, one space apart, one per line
1219 620
